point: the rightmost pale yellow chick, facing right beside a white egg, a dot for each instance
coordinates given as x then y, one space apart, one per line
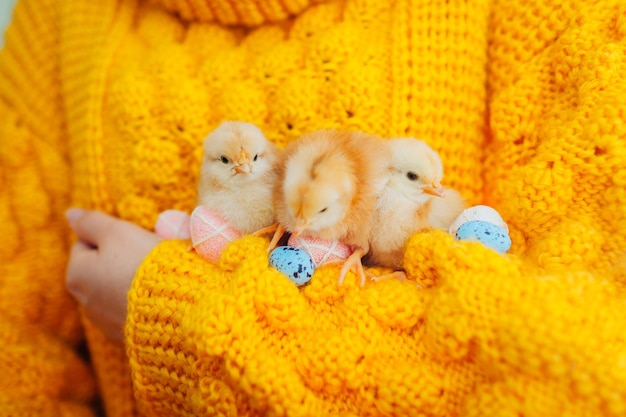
412 200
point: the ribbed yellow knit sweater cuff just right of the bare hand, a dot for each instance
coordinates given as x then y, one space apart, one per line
166 285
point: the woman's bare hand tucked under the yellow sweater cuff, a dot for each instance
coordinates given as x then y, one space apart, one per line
102 265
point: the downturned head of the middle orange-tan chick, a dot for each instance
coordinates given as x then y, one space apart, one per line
318 191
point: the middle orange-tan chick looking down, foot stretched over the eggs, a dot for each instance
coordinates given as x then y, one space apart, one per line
327 188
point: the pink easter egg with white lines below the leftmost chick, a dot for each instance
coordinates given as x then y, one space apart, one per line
210 233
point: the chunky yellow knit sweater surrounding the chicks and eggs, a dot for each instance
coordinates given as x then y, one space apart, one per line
104 104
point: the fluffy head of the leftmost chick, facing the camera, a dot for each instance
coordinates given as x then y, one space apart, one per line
236 152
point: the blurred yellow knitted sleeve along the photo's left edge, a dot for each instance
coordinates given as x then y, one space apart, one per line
41 372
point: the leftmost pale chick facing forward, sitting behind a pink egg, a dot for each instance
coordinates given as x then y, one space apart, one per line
238 175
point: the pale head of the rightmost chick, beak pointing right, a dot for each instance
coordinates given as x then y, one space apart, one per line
416 169
